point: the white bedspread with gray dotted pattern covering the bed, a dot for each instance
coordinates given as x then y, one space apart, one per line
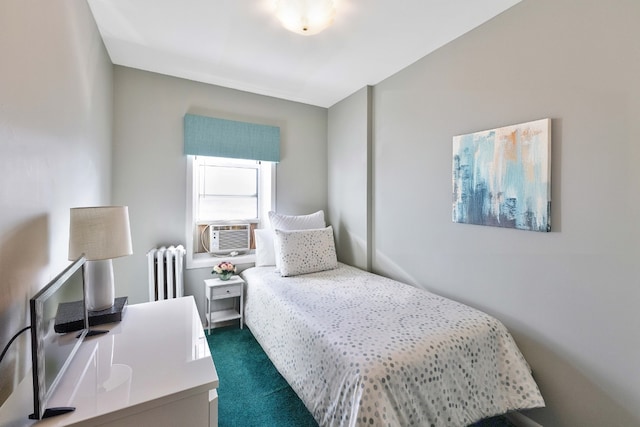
360 349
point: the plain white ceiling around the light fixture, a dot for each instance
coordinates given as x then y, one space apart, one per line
239 44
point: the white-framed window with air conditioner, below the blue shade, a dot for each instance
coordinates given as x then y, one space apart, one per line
226 198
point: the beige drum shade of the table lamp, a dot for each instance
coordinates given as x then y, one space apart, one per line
99 232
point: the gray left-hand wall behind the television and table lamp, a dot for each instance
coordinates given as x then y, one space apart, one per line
56 104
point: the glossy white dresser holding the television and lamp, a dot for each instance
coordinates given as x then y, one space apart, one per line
153 368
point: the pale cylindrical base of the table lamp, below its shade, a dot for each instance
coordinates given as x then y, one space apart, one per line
99 284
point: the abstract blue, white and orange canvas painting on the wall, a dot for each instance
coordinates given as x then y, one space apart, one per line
502 177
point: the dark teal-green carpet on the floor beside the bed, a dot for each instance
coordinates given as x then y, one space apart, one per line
253 394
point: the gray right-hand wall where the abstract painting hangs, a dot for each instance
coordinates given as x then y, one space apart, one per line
570 297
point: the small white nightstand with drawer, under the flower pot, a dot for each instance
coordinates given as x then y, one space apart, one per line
216 289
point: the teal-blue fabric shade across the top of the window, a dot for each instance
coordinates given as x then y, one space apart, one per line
208 136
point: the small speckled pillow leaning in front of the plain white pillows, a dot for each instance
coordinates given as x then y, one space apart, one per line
305 251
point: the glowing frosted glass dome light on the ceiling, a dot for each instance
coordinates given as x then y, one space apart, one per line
306 17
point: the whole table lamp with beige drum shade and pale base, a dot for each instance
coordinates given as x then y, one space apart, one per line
100 233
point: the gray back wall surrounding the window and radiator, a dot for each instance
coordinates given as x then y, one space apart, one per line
150 169
